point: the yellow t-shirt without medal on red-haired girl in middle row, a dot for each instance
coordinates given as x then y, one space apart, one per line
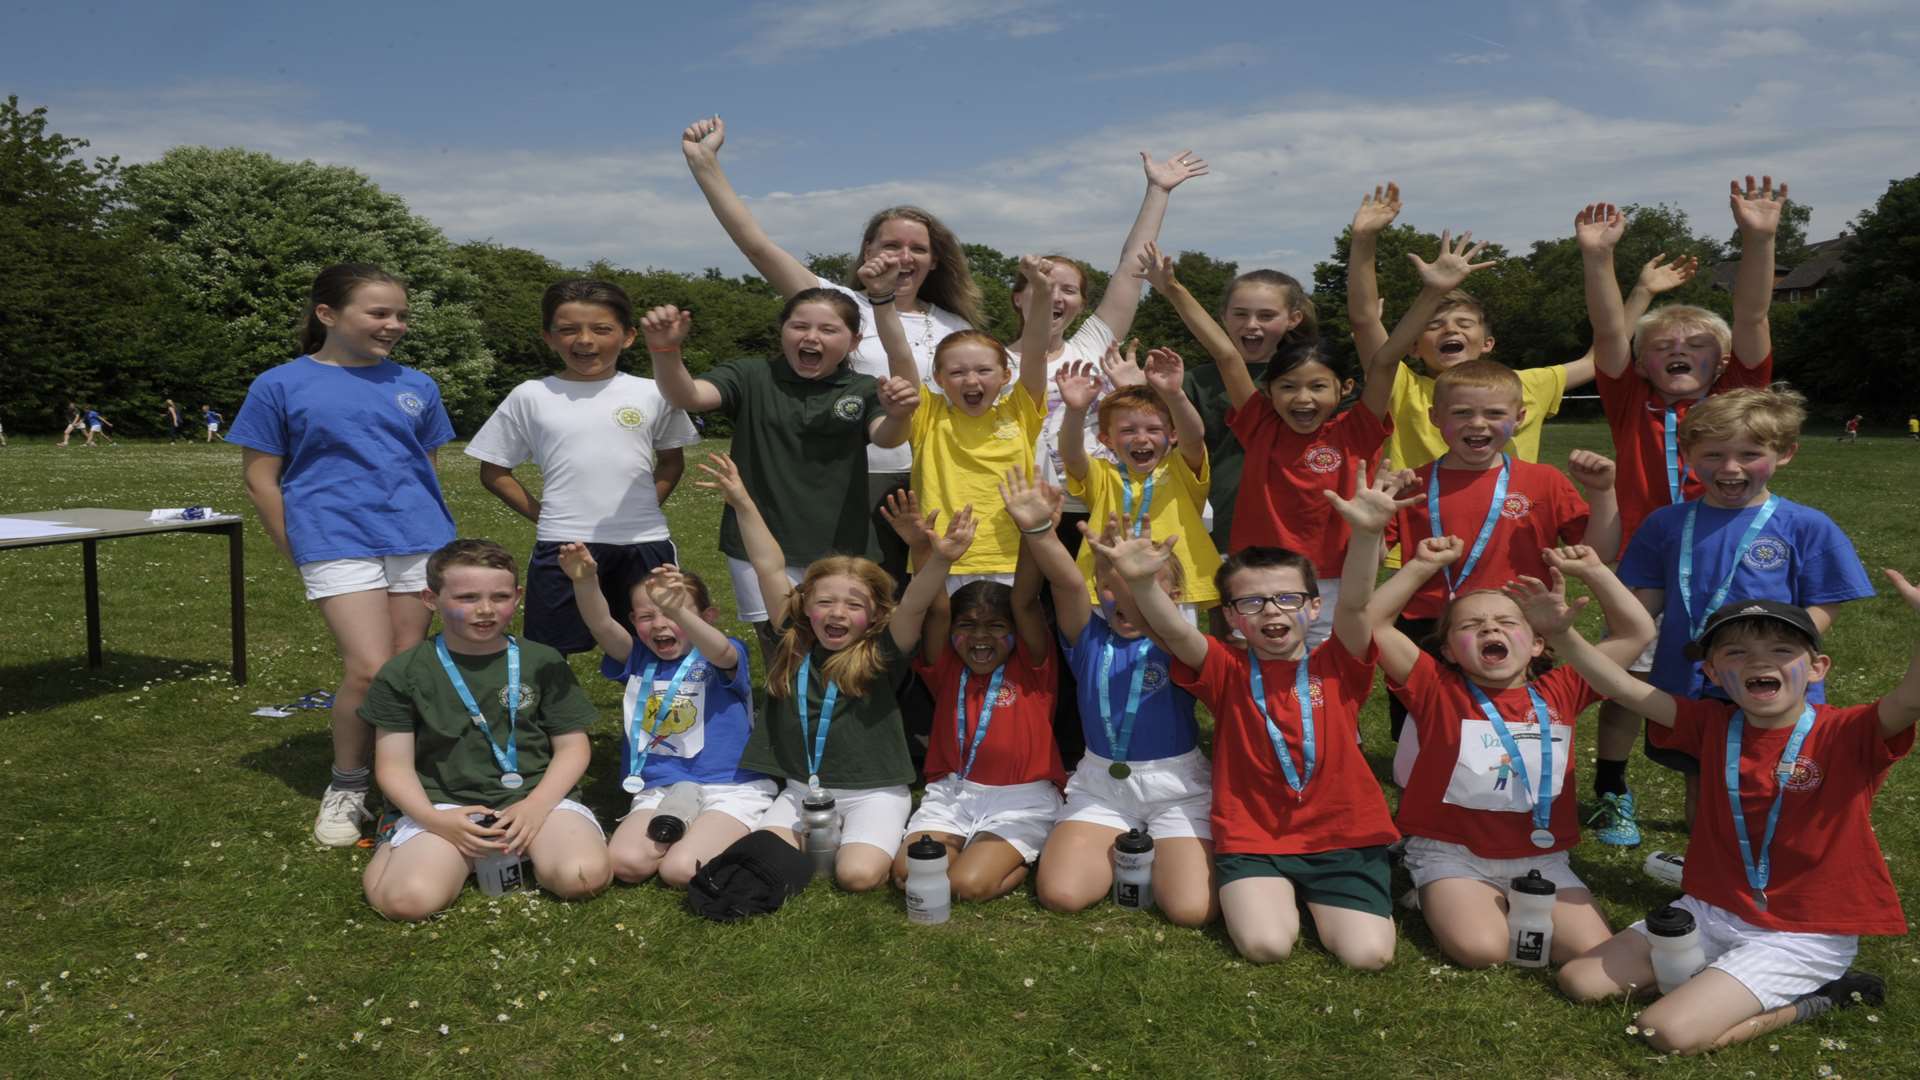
961 460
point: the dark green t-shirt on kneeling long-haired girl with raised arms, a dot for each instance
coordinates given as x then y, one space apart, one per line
867 741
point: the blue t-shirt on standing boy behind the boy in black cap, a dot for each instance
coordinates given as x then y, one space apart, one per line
1798 558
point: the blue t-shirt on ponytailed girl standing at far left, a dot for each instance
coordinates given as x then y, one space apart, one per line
356 441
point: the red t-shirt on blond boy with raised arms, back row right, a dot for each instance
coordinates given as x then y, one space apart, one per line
1637 418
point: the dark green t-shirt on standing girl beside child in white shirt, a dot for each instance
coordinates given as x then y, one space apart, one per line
802 453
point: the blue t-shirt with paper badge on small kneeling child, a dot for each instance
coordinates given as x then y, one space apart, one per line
706 729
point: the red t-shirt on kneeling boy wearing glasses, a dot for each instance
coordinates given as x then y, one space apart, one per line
1255 812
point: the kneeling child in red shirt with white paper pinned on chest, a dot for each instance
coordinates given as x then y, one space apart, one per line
1483 802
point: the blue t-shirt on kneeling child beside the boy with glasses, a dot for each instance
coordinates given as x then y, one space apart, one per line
1164 727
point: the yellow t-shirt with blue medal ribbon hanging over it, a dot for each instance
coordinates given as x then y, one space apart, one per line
1178 504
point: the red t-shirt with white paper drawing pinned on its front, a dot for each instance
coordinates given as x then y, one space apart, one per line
1462 789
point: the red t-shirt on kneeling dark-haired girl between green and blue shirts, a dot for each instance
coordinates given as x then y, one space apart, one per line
1020 737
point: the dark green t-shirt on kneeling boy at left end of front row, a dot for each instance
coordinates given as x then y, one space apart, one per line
414 695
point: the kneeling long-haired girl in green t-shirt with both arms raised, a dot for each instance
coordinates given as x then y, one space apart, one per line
832 718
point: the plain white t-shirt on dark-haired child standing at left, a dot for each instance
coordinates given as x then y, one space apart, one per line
594 445
